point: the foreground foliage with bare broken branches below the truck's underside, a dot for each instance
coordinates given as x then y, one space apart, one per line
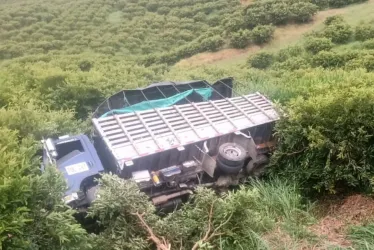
231 221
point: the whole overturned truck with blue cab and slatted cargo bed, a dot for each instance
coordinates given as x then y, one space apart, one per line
170 138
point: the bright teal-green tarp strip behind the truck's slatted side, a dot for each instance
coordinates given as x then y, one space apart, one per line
161 103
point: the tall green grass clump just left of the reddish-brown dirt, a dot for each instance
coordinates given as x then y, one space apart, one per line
280 201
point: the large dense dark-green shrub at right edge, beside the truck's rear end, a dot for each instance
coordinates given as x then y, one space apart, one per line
326 141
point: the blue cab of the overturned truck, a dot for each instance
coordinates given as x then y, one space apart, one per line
76 158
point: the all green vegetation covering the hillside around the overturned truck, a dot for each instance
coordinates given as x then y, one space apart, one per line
60 59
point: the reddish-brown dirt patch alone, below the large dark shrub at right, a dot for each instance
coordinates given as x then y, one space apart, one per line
353 210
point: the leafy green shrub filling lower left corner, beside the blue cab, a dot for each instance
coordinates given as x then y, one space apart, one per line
33 215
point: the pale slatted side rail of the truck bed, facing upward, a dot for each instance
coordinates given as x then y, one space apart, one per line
134 135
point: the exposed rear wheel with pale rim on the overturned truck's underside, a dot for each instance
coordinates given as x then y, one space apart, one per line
231 154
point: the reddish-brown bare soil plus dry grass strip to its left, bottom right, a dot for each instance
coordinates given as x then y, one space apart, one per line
335 216
